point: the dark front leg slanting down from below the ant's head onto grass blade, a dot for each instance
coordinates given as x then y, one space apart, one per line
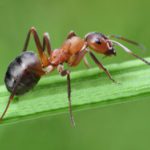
100 65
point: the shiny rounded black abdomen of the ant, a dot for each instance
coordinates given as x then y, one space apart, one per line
21 70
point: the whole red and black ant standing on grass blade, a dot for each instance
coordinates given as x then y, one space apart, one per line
25 70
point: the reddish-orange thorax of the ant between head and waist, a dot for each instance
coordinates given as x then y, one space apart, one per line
69 52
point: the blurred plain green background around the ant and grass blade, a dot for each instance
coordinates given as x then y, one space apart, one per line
110 128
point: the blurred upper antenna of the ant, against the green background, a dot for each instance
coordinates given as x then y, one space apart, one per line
127 40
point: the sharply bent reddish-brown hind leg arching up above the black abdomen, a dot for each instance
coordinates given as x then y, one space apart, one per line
42 55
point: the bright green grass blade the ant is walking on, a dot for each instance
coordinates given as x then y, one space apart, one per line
90 88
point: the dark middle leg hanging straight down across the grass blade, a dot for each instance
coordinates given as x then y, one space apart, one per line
67 73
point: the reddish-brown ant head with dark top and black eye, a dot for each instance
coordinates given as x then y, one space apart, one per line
100 43
